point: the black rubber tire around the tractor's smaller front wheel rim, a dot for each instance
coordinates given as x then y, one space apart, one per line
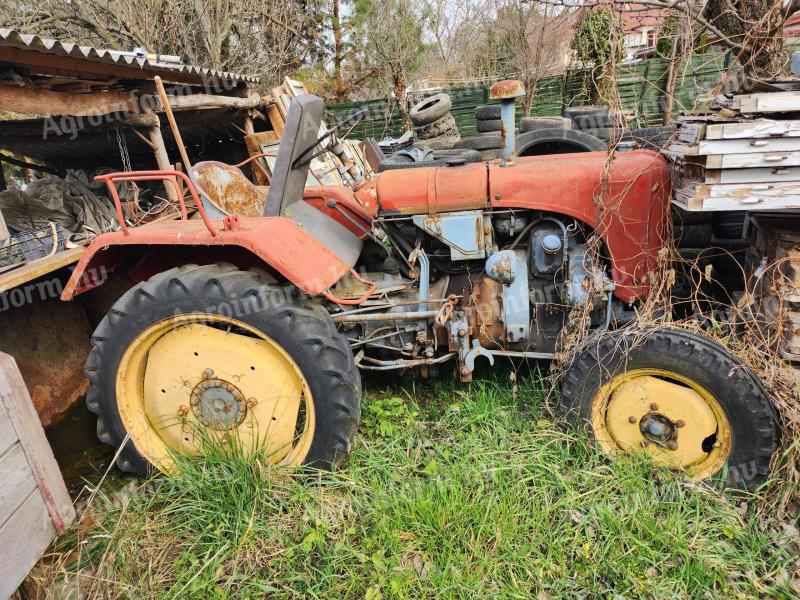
751 418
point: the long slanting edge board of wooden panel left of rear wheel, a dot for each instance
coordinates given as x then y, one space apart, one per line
14 395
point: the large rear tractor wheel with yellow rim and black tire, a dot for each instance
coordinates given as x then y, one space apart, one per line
210 353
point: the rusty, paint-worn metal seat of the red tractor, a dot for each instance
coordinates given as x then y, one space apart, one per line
225 190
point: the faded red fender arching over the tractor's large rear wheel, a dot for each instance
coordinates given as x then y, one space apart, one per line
276 242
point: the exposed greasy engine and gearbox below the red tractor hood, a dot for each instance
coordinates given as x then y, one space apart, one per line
476 283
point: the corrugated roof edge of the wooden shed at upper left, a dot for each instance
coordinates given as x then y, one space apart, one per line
14 39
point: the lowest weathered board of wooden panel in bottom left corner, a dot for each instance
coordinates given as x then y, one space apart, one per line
23 537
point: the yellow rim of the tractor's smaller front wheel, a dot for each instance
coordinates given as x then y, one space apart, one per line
670 417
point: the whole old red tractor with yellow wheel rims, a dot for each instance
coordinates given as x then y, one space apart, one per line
258 325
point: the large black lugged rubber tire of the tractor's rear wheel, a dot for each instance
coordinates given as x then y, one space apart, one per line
304 331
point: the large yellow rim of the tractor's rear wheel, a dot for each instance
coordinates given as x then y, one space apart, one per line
195 377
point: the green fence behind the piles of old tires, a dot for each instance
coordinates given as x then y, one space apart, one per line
640 88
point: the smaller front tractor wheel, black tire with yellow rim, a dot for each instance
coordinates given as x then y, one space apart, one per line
678 396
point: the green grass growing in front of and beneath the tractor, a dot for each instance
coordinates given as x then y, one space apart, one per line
450 492
